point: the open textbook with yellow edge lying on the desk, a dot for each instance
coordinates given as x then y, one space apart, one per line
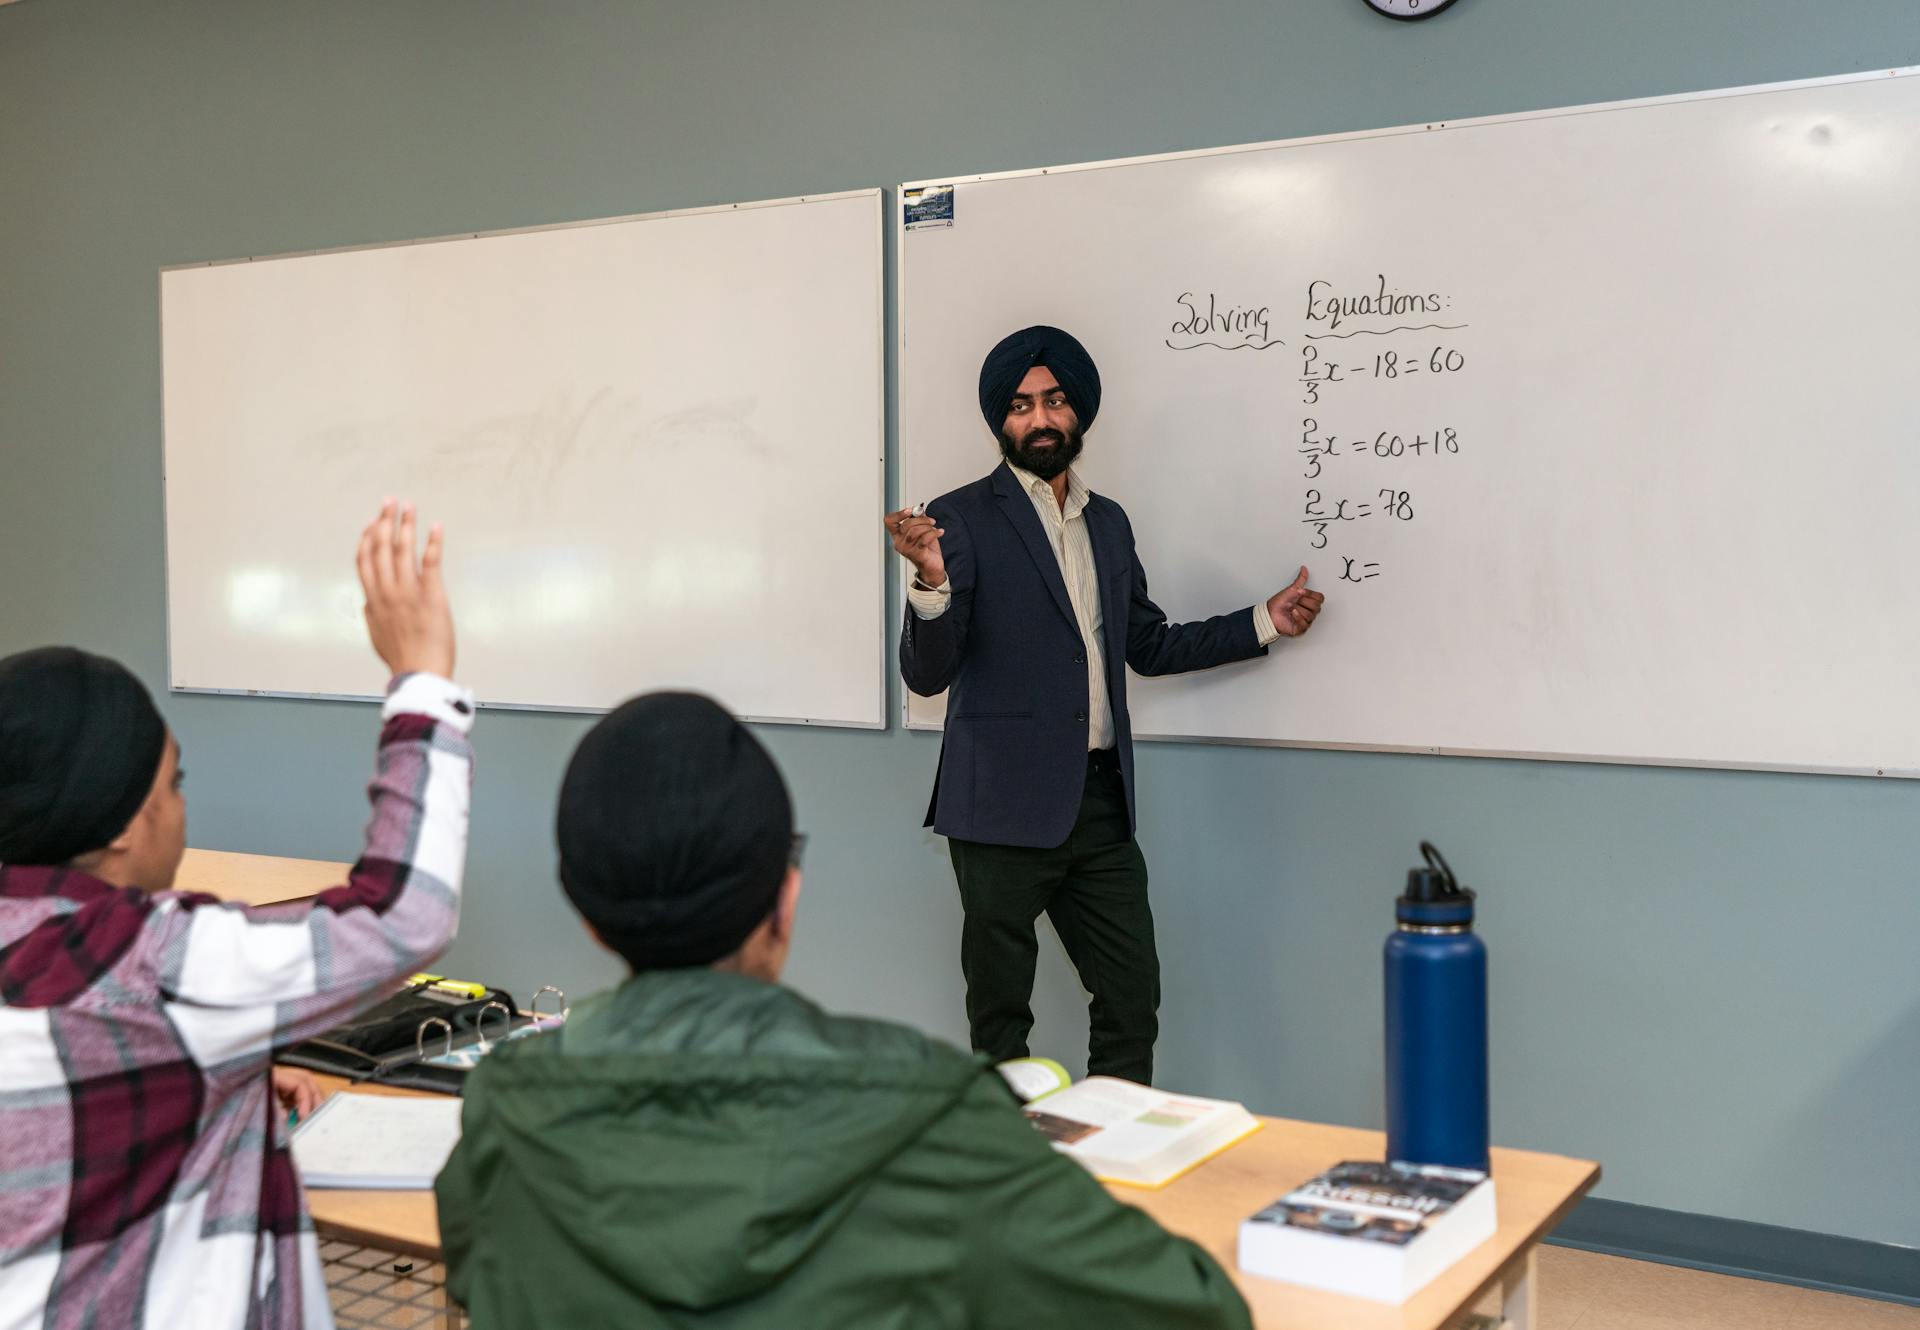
1122 1131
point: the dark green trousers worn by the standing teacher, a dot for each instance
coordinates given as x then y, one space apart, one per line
1093 888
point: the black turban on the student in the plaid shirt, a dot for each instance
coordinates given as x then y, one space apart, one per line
80 748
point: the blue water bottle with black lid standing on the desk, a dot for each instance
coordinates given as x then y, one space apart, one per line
1435 1024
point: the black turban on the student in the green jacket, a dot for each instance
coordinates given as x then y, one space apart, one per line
675 832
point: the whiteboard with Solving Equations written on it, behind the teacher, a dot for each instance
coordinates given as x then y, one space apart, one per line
1660 360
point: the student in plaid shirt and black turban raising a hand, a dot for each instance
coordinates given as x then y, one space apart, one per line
145 1166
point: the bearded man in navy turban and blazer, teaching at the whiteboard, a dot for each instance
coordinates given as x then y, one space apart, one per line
1030 604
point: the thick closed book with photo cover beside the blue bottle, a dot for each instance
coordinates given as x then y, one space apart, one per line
1368 1229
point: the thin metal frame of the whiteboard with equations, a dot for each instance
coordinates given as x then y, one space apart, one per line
1479 122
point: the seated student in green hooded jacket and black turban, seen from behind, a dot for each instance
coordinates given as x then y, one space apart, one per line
708 1149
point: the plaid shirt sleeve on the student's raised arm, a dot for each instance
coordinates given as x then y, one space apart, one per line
241 978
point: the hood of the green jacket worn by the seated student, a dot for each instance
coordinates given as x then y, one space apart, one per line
696 1135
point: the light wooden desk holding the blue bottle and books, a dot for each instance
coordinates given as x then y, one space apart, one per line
1535 1193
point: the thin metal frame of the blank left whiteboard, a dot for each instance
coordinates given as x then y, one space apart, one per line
880 419
